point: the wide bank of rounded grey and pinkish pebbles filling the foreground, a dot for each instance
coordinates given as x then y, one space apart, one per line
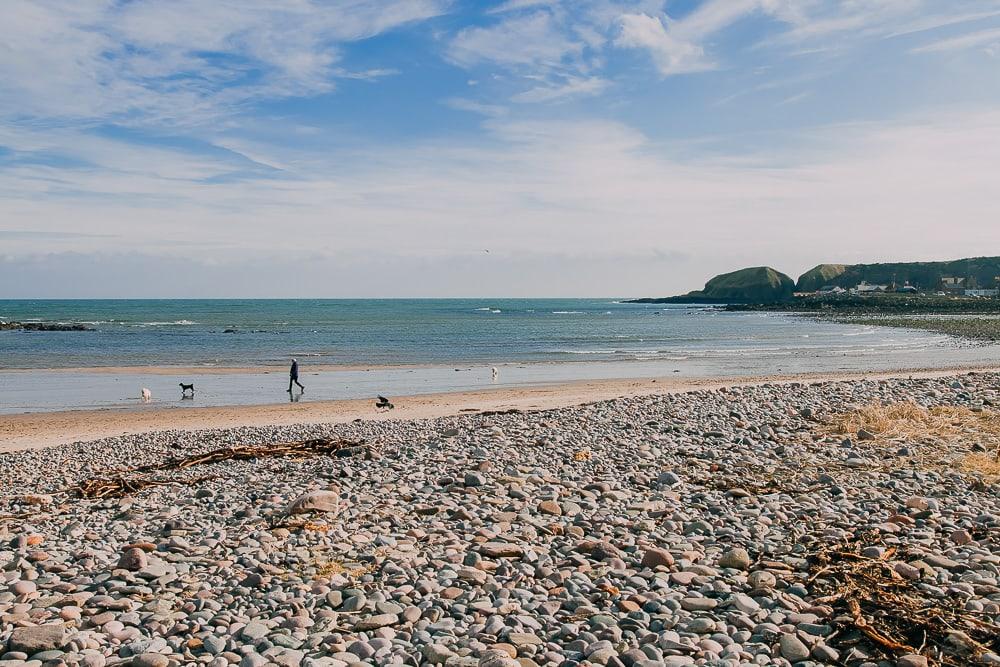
674 530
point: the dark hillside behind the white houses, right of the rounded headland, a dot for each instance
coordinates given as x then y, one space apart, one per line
977 272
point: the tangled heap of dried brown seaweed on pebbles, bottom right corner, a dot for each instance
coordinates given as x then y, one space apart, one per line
892 614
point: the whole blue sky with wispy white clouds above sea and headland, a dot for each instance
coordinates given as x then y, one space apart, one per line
436 148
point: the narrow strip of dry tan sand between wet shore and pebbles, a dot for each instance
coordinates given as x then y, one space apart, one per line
27 431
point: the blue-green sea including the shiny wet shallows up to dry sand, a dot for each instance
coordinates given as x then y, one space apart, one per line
357 348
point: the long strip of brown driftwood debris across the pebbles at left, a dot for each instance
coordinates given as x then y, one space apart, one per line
127 484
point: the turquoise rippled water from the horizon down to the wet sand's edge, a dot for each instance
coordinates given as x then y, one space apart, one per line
424 332
